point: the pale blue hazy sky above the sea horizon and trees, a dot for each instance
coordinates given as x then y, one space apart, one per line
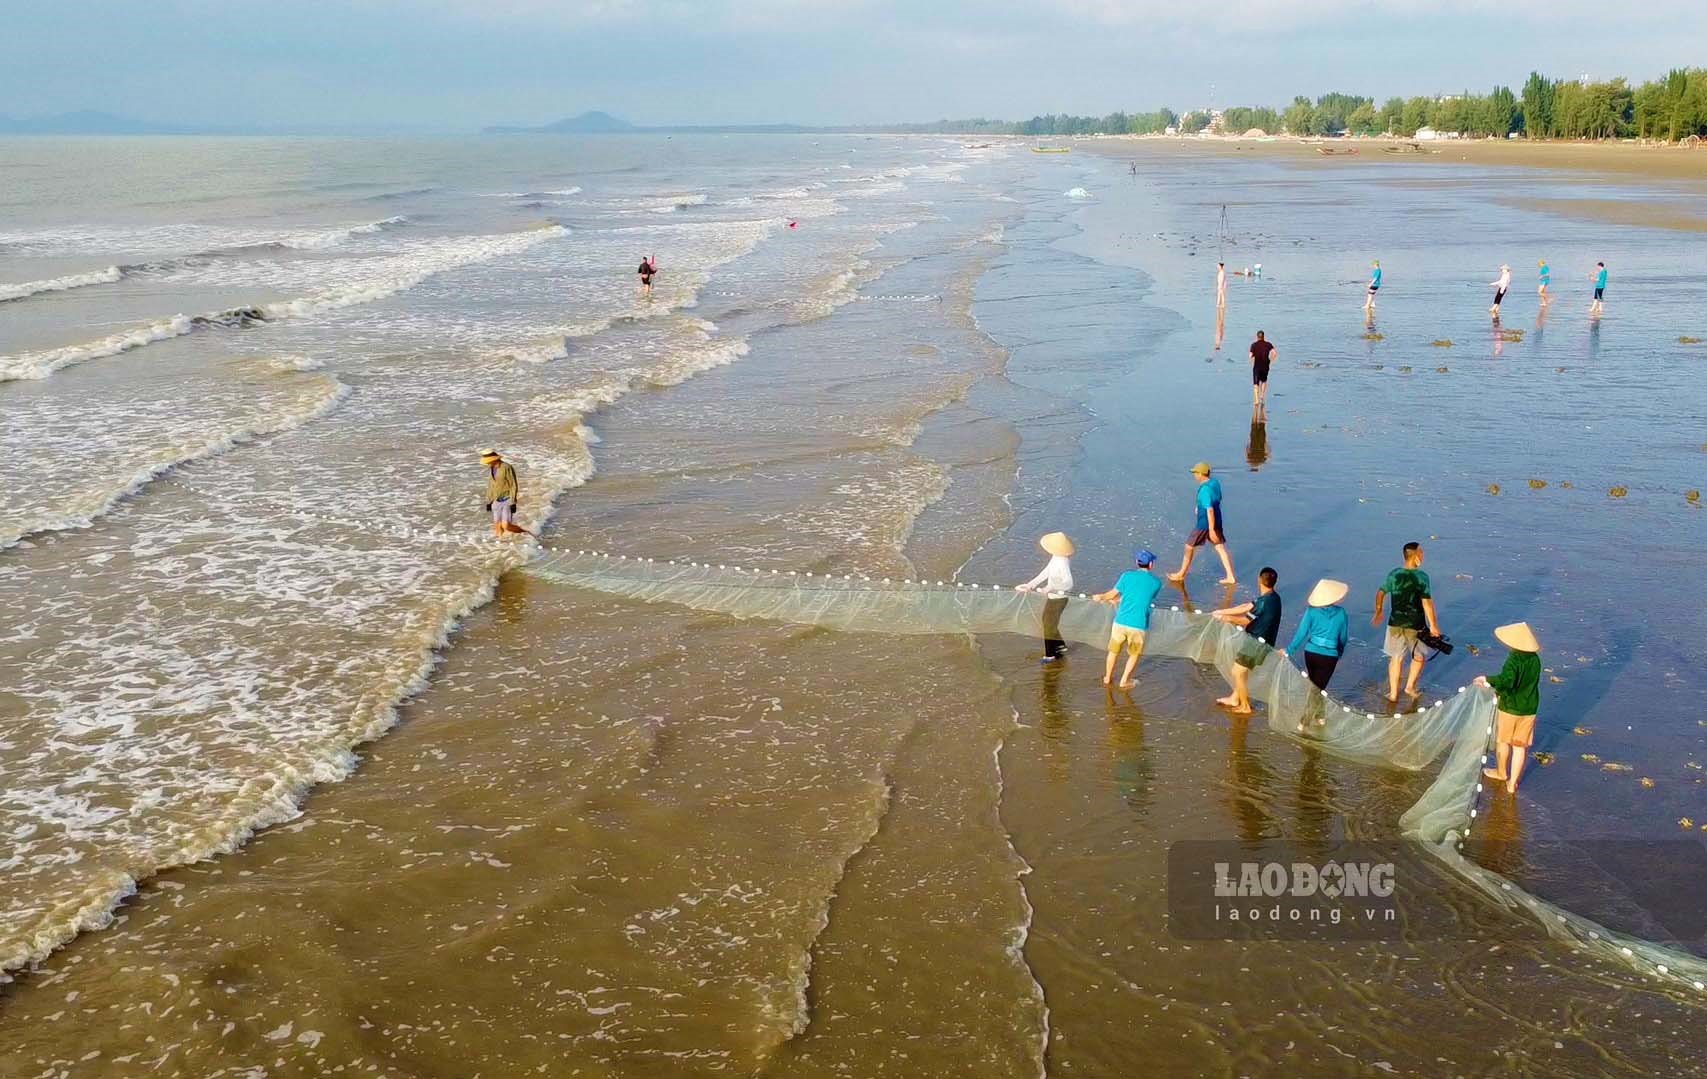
463 64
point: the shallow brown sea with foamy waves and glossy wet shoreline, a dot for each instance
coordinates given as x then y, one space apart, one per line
622 839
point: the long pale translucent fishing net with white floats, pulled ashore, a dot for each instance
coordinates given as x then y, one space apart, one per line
1460 726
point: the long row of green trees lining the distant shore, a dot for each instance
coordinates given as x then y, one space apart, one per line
1670 108
